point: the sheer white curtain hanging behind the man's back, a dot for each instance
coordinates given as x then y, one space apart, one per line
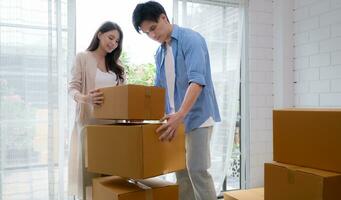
221 23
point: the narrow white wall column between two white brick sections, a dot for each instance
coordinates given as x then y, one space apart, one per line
283 54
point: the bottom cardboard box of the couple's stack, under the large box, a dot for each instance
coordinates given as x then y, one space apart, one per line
116 188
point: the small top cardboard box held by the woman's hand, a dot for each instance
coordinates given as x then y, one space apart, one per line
132 102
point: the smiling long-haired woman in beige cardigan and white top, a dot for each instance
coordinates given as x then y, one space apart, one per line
97 67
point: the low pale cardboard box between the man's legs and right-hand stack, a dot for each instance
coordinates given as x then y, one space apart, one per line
250 194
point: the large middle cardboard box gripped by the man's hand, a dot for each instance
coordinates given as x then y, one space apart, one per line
133 150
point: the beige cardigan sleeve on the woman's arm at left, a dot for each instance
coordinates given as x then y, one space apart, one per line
75 83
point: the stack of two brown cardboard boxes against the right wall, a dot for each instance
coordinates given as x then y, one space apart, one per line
307 155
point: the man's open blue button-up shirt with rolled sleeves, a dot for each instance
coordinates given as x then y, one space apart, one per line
192 64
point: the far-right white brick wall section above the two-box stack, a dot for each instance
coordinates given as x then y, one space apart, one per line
317 52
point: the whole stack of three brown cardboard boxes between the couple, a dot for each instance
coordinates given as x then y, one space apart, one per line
132 152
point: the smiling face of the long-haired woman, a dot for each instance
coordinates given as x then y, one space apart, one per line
109 40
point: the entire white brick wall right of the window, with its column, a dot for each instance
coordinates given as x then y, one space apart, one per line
294 60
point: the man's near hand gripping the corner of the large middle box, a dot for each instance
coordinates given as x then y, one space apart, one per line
167 131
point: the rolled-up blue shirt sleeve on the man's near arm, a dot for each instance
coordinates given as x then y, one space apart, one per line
195 59
